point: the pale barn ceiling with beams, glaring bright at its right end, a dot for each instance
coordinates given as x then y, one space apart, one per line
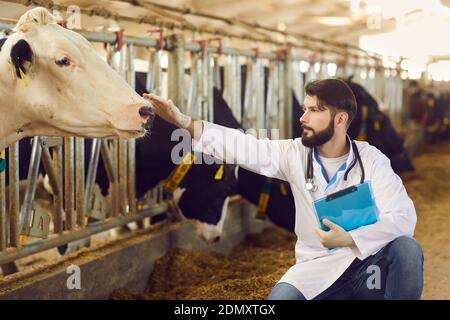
370 24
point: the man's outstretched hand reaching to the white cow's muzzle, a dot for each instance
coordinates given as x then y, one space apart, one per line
168 111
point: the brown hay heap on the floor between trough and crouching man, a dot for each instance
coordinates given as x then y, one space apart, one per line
249 272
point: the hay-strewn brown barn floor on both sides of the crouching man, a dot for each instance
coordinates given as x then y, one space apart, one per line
254 267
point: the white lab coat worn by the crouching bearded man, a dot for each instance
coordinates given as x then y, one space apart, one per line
317 268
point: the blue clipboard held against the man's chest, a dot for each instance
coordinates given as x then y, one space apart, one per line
349 208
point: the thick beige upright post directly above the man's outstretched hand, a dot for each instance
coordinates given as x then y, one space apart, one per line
176 72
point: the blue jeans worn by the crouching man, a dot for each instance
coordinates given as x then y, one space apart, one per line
400 266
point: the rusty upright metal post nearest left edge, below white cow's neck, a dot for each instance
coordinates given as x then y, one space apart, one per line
14 206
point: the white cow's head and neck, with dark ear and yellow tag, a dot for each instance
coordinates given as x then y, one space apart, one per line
52 82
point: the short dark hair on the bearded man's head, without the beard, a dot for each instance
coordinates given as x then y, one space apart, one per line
334 94
